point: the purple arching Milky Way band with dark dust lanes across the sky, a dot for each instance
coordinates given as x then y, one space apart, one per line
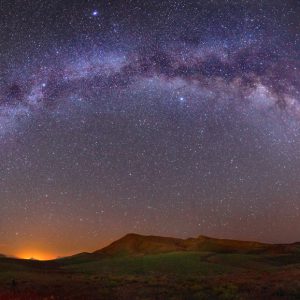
262 75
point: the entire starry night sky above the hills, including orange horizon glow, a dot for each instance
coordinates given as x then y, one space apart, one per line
174 118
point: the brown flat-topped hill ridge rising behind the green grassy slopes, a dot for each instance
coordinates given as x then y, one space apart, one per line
135 244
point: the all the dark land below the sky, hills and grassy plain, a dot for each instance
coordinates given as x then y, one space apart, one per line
152 267
